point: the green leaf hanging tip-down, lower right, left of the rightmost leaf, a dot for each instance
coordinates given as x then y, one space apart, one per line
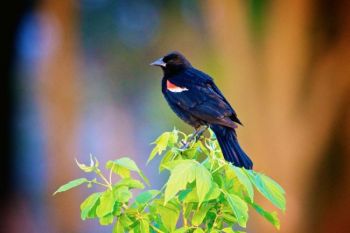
239 208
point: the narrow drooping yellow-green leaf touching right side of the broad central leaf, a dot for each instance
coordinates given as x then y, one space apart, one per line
203 182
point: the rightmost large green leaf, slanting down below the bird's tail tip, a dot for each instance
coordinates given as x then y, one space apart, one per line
269 189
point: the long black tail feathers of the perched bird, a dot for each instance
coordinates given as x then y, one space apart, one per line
230 147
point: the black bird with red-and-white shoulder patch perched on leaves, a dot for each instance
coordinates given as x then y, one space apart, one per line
195 98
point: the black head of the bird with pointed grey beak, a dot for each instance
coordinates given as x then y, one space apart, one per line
172 62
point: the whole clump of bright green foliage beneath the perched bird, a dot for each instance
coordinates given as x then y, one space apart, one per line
204 193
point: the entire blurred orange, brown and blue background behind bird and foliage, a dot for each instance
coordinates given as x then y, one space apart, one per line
76 80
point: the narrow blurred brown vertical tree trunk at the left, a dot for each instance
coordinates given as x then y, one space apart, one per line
58 97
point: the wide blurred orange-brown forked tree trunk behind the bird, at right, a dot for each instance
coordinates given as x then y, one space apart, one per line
293 84
